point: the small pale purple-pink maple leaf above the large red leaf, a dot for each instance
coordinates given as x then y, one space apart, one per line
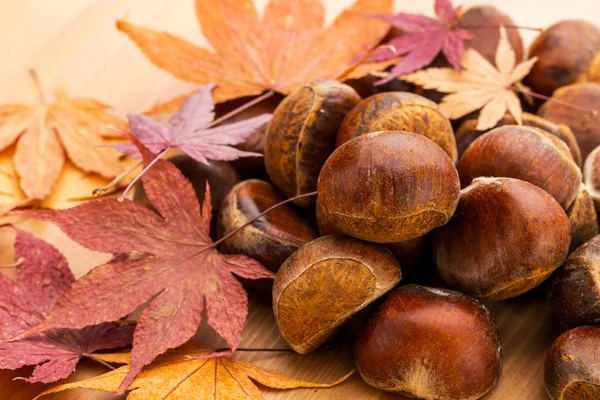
188 130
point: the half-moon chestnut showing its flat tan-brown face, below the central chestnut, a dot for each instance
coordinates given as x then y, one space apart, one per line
324 283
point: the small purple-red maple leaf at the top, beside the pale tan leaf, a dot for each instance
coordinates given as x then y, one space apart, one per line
423 39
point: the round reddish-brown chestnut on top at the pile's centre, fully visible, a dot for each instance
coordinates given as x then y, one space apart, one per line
388 187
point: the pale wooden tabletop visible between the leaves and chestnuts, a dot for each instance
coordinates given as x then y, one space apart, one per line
73 44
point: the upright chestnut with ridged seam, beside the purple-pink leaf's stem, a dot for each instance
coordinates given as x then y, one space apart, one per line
301 135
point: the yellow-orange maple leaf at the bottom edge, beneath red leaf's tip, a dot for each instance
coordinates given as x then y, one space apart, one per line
186 373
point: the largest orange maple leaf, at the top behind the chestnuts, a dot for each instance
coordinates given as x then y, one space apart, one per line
287 48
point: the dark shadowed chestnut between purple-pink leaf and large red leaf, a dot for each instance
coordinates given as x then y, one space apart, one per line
221 177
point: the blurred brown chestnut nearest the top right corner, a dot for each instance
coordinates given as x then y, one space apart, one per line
567 53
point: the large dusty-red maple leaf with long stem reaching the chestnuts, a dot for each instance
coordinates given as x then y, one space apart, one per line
180 274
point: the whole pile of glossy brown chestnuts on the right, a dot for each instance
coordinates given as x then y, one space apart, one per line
494 213
